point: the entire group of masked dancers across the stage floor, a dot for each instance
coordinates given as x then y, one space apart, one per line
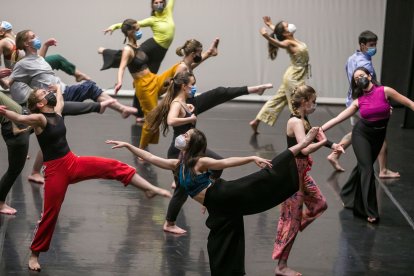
39 101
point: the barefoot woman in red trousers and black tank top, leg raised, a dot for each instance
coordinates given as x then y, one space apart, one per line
63 167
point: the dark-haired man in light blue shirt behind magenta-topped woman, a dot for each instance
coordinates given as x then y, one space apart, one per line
362 58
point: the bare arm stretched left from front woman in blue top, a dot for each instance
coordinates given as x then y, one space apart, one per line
168 164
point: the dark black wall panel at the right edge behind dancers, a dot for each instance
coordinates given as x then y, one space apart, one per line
398 51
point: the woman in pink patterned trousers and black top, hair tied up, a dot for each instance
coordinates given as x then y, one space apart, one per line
292 216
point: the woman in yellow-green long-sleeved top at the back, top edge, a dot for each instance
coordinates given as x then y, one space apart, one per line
162 25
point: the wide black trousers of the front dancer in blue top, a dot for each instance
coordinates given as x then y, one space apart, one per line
228 201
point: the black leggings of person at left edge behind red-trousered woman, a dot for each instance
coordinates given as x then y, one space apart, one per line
17 149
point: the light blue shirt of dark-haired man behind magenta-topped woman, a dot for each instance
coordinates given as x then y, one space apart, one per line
358 59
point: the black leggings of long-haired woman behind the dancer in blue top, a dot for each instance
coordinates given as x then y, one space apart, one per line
202 103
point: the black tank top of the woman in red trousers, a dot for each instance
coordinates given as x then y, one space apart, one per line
52 140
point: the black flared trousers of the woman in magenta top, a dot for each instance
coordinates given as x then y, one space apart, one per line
359 192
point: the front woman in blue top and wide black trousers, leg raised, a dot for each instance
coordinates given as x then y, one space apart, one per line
228 201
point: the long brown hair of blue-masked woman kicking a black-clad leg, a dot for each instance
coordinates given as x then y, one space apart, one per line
158 116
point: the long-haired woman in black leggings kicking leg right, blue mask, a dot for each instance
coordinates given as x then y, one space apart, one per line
179 109
